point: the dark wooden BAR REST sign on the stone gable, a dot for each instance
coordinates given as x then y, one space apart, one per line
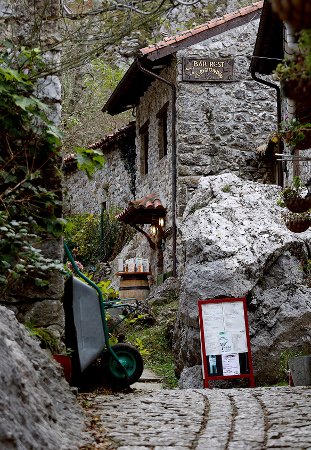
206 69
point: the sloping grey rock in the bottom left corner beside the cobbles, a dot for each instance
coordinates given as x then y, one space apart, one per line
38 410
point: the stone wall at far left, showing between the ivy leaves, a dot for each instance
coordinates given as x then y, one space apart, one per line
19 22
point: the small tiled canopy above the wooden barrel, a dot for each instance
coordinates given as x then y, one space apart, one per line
143 211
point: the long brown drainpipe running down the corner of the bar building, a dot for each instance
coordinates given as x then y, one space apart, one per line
174 169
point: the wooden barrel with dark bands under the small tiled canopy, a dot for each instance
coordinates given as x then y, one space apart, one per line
134 285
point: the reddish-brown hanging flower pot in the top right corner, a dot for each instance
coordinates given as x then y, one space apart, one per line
297 13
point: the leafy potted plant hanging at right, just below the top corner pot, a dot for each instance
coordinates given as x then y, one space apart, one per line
294 72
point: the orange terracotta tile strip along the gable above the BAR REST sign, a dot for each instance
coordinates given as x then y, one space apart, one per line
214 23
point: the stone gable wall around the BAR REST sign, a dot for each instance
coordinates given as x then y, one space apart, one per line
220 125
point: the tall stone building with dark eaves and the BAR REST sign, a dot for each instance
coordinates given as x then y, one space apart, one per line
198 113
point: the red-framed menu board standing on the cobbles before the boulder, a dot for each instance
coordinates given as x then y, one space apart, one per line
225 342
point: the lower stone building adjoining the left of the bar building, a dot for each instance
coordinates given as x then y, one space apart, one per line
113 185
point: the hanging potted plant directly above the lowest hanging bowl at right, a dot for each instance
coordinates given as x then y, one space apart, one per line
292 197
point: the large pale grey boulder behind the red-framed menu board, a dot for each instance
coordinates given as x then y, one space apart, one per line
236 245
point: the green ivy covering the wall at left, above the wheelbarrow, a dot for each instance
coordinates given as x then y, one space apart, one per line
28 167
